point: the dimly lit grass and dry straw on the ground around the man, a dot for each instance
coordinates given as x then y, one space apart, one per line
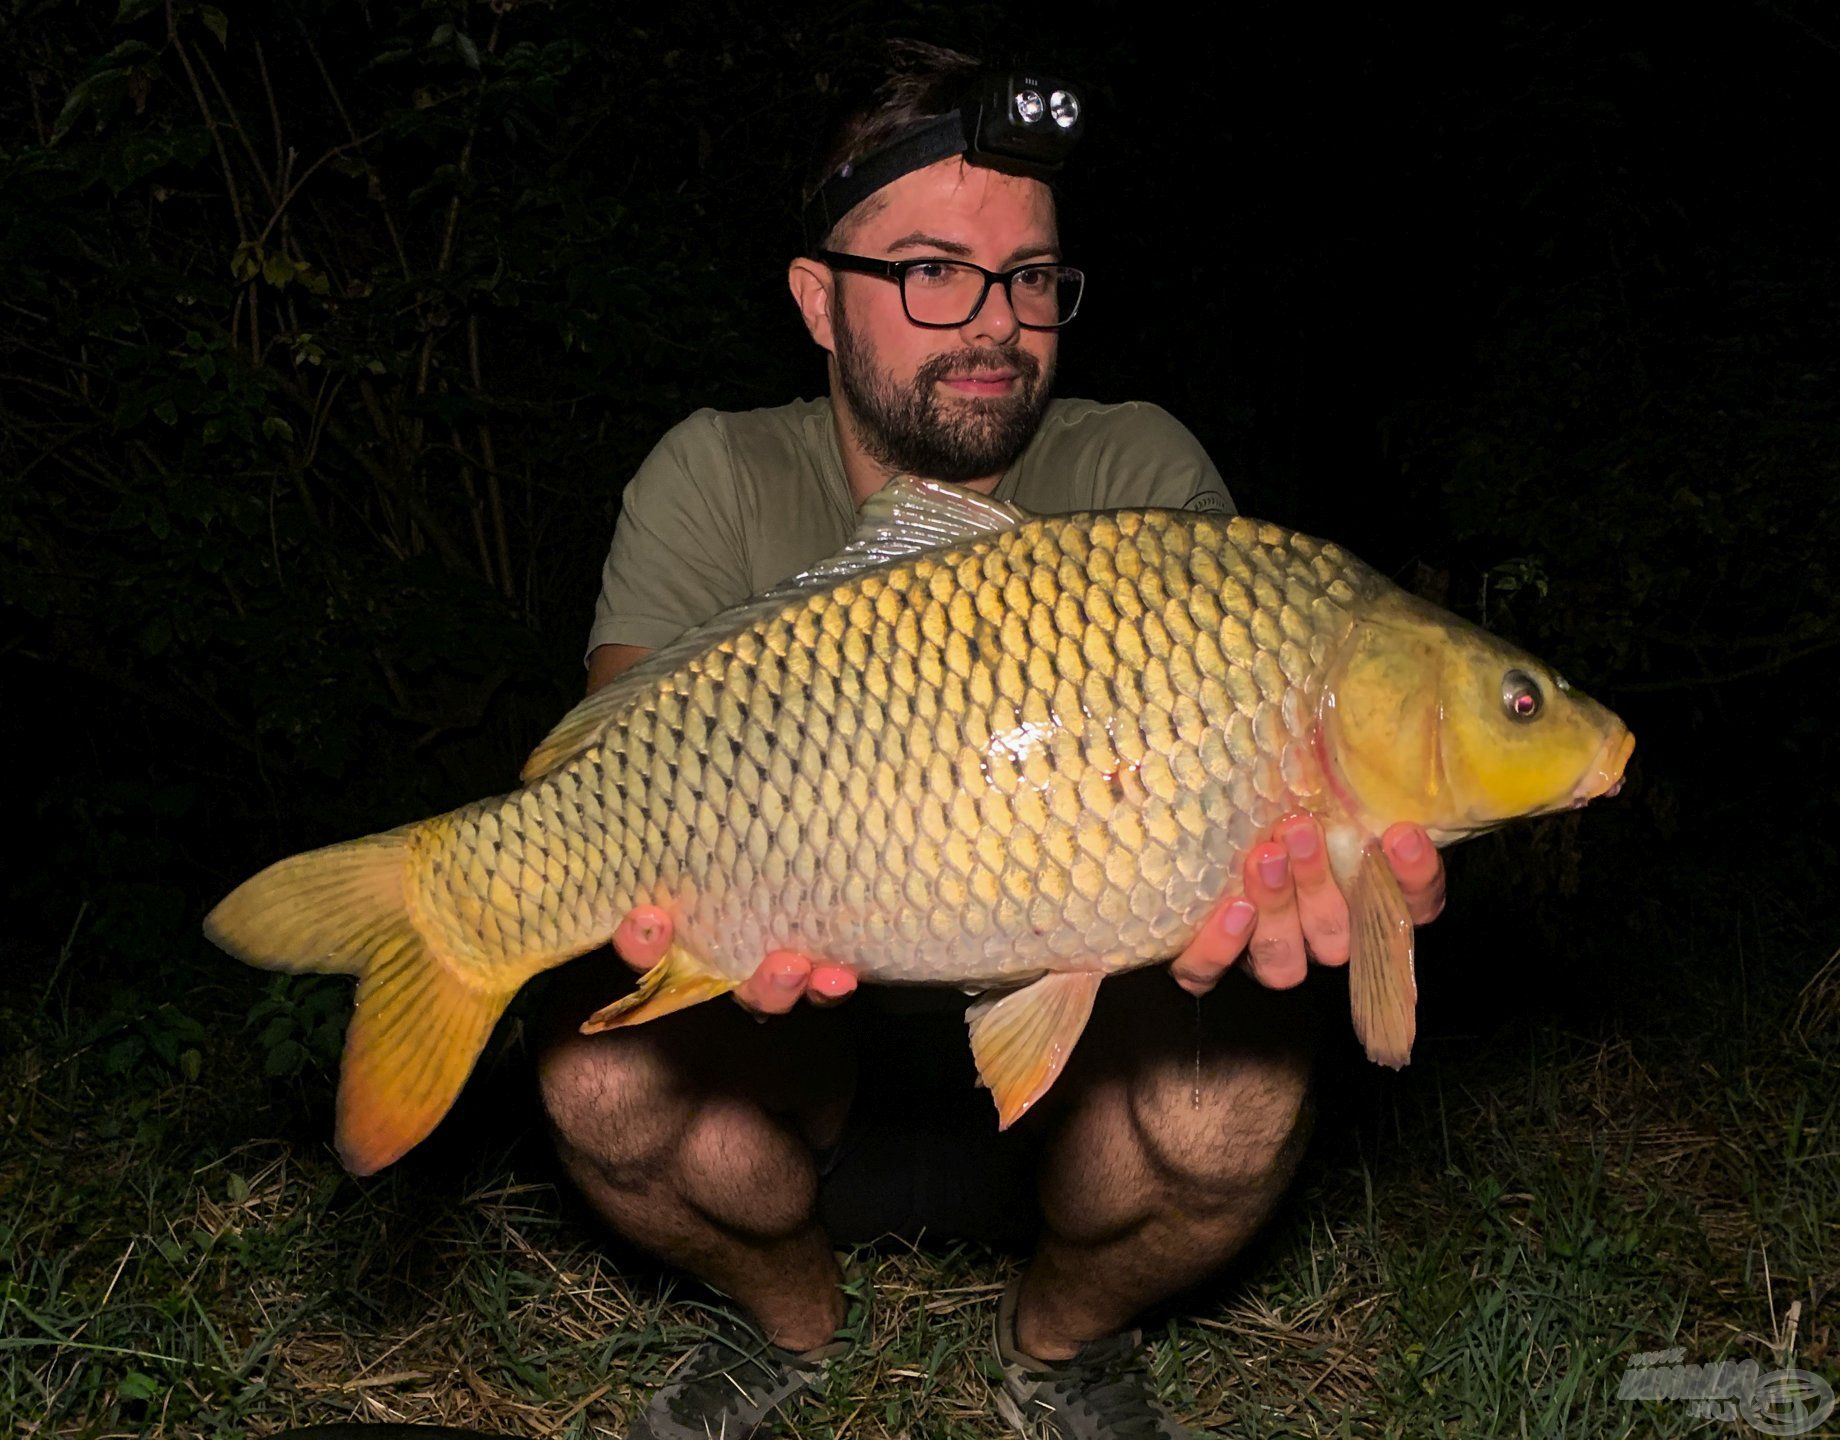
1475 1248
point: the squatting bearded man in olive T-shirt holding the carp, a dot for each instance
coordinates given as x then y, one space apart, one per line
713 1141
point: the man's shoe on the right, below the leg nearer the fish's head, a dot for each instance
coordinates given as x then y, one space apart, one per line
1099 1395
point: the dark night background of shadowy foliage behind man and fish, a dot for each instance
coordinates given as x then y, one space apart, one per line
328 336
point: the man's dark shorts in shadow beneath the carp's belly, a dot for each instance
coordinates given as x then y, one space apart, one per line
919 1150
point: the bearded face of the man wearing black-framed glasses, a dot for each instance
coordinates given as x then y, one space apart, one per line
945 404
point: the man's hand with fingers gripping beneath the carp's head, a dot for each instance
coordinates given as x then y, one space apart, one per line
1293 908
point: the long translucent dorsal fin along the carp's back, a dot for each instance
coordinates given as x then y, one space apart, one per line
906 518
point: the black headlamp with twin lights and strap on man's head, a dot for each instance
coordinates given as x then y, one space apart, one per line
1009 120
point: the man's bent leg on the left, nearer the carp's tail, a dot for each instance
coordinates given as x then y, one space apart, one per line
695 1137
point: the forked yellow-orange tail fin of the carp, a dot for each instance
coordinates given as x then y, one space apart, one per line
419 1025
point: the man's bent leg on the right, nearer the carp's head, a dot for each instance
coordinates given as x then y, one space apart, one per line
1173 1143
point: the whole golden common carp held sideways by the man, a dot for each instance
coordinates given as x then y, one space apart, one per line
983 749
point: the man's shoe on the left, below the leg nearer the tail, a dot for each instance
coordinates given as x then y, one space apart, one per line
735 1382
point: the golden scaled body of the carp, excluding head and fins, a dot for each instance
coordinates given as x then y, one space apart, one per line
1041 749
